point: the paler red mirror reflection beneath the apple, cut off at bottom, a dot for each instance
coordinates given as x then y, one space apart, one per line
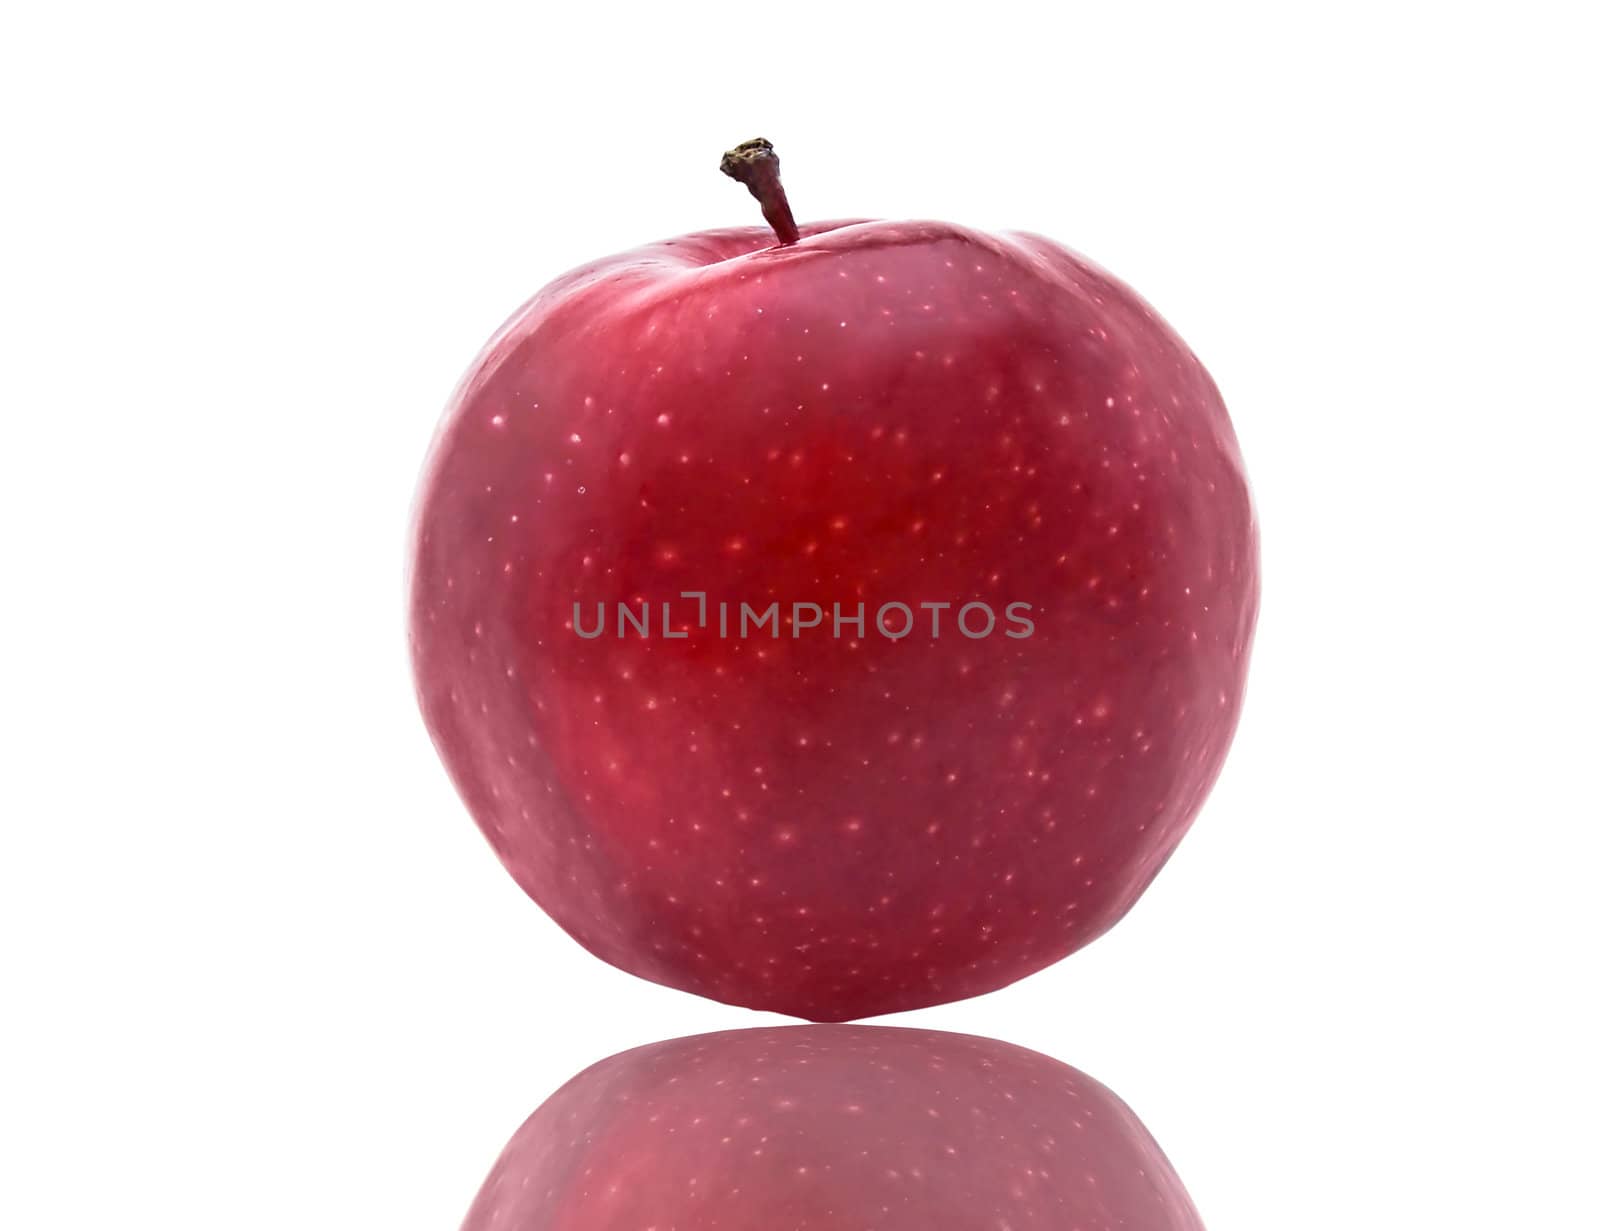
833 1129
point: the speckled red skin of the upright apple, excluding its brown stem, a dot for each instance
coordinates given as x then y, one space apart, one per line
882 412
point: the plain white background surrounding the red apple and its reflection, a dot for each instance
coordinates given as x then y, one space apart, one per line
260 971
